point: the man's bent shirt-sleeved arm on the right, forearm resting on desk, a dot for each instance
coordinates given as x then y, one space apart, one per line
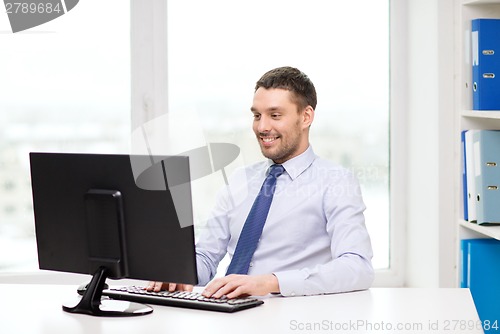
350 268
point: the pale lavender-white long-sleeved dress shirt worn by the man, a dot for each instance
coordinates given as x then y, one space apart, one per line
314 240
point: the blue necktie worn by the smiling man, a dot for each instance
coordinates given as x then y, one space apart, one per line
252 230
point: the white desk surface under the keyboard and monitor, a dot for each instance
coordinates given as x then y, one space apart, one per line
27 308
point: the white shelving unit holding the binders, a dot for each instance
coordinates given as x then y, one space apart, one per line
468 118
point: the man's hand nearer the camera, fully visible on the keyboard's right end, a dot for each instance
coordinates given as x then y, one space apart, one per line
233 286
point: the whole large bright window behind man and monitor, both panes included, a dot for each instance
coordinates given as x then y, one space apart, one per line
69 89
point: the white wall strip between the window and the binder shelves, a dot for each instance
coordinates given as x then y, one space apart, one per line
430 257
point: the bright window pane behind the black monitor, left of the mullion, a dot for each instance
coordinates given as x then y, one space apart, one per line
65 87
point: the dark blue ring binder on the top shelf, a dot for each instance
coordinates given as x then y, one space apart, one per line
486 64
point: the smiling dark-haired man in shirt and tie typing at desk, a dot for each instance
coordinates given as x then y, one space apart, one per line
293 224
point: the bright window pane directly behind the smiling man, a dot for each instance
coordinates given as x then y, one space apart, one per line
218 49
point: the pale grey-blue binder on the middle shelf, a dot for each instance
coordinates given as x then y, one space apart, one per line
487 170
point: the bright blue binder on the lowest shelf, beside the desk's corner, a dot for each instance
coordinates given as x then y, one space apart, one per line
481 272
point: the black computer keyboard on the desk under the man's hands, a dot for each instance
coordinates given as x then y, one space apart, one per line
182 299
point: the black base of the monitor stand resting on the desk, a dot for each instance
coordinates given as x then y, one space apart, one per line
91 302
